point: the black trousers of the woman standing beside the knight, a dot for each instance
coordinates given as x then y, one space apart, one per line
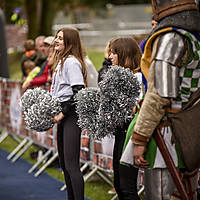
125 177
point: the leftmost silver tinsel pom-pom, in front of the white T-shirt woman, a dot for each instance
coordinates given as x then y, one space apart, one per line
39 108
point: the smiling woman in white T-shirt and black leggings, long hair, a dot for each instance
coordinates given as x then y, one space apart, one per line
68 78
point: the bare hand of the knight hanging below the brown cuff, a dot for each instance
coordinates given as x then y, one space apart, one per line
138 156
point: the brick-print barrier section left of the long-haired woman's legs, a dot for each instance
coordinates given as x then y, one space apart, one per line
12 123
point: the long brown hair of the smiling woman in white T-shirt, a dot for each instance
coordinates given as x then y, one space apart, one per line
72 46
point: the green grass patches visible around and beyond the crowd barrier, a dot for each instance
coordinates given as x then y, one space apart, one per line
95 188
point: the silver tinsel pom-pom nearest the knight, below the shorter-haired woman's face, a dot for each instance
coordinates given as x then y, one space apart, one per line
119 91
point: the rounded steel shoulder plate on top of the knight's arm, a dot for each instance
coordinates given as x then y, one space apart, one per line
170 48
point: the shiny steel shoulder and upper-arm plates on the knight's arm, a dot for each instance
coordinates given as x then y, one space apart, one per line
168 55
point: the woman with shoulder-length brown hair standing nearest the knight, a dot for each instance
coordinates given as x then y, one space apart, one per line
126 53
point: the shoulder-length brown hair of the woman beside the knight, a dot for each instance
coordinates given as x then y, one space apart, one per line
128 51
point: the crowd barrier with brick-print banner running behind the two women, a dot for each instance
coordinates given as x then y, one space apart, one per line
94 155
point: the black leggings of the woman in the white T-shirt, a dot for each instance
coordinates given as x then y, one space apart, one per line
68 141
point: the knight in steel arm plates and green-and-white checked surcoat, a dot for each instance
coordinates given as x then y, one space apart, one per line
171 64
